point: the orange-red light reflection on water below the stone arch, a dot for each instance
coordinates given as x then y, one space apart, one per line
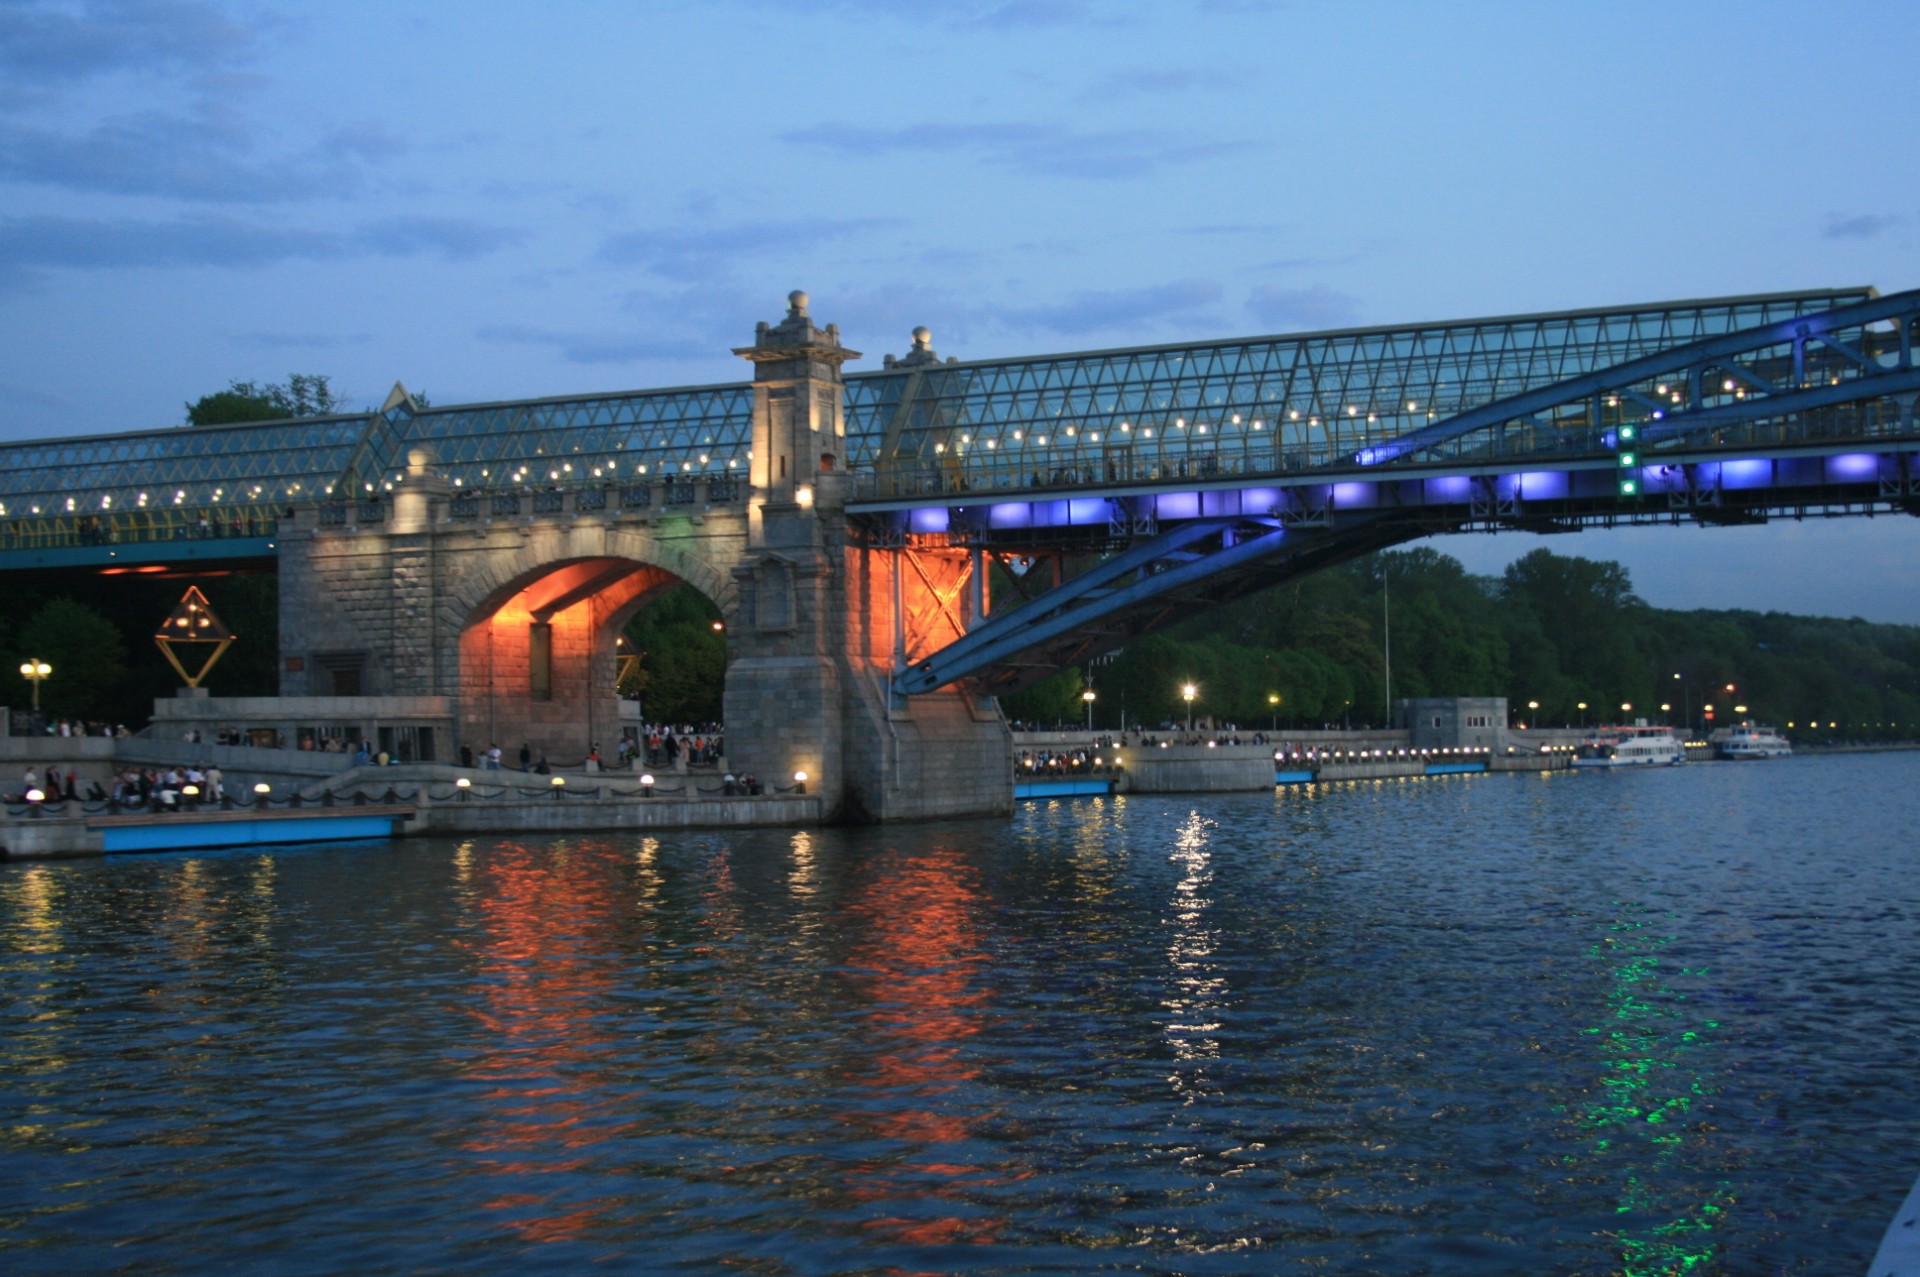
546 971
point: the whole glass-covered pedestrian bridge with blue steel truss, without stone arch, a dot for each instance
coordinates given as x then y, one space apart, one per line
1124 485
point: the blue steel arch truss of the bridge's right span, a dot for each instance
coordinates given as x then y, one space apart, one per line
1685 408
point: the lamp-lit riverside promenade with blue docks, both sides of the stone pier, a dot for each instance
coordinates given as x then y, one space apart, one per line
277 796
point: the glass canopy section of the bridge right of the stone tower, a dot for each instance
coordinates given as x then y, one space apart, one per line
1260 404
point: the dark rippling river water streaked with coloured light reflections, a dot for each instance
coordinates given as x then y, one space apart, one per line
1487 1024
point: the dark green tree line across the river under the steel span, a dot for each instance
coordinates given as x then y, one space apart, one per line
1556 631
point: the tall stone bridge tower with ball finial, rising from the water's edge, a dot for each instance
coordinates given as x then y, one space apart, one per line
813 646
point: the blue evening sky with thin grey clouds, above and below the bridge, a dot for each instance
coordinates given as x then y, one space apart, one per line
525 201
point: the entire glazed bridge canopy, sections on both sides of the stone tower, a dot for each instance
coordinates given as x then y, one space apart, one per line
1017 420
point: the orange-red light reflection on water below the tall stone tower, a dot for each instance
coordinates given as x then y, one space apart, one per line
917 953
